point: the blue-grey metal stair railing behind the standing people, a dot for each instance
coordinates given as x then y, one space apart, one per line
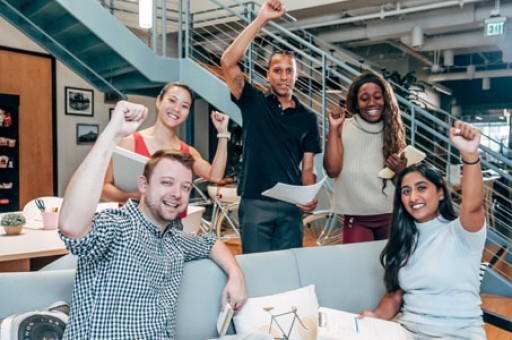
325 72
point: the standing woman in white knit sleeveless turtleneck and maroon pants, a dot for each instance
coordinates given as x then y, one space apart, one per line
357 149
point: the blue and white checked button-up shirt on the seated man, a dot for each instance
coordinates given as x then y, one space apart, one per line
128 276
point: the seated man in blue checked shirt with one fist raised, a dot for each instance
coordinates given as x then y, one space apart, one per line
131 259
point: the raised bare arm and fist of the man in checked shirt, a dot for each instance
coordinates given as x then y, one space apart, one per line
84 189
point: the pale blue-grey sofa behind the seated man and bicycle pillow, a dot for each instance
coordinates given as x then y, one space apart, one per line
347 277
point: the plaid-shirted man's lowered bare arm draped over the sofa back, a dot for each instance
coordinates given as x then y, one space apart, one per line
235 291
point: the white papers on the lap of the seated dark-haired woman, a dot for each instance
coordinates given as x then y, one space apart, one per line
335 325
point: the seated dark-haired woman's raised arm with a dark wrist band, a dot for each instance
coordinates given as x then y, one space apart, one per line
466 139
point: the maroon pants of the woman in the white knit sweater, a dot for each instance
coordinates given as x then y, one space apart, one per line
366 228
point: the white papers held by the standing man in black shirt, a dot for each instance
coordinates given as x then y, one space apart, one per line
296 194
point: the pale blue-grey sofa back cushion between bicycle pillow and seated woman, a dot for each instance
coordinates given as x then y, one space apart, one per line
342 273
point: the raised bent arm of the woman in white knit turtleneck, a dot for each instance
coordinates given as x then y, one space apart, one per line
333 157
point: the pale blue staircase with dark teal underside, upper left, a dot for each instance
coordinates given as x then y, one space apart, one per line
93 43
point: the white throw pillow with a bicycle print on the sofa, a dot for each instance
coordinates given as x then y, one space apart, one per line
292 315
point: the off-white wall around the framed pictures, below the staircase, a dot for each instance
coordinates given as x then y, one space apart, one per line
69 154
